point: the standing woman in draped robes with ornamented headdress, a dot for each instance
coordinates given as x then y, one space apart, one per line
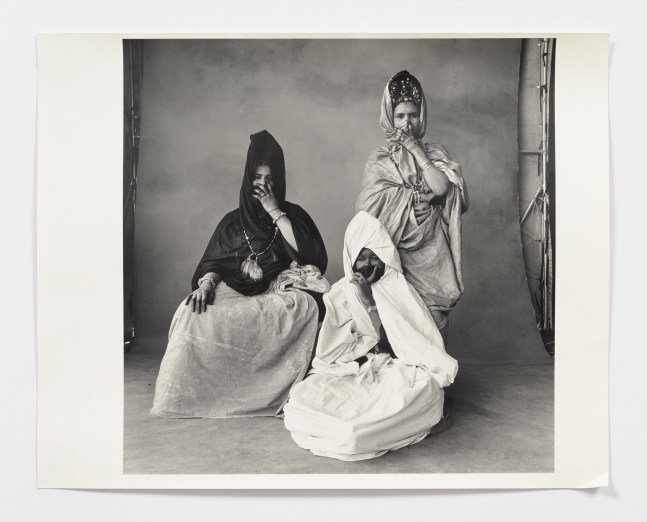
419 195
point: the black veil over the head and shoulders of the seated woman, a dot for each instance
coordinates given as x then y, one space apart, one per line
228 247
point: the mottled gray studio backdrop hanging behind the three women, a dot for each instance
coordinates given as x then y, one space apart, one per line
321 99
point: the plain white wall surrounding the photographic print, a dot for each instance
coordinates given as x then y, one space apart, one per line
21 21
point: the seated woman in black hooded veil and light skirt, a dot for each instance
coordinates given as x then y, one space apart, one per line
246 333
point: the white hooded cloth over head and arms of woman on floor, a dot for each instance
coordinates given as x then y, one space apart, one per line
411 330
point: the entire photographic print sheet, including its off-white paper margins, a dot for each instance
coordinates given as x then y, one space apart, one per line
315 259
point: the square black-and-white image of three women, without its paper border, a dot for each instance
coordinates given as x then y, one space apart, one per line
339 255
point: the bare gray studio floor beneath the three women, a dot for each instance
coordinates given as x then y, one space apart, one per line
503 423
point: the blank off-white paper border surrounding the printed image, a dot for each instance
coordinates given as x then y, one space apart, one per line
79 288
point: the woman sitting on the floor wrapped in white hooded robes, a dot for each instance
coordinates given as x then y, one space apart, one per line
370 393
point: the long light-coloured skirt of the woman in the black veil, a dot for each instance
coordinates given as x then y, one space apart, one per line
241 356
